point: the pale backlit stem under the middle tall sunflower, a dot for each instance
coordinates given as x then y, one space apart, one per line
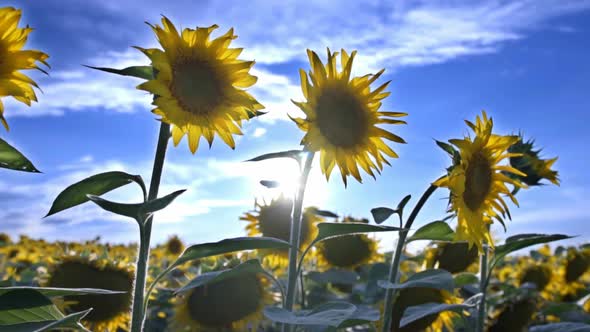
295 235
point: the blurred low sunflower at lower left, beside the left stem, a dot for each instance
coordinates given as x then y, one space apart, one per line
109 312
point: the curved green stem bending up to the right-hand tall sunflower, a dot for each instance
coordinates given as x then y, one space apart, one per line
390 294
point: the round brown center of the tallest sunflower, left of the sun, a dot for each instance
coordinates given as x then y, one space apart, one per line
197 86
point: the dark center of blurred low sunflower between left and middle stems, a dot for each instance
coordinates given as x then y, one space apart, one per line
225 302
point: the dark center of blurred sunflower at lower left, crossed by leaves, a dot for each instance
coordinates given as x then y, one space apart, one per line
83 275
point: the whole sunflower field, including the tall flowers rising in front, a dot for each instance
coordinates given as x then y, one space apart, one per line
296 267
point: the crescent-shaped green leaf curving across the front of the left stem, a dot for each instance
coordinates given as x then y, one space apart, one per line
137 210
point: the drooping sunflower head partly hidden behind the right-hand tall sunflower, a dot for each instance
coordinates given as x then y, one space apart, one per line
530 163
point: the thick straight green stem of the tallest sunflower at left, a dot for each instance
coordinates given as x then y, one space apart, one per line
145 231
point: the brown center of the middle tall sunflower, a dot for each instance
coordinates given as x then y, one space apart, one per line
341 116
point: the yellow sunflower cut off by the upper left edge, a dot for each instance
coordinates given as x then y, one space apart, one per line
13 58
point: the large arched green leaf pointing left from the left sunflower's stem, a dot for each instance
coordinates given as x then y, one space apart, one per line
98 184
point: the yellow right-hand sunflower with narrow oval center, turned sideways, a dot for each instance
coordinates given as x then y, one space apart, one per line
478 181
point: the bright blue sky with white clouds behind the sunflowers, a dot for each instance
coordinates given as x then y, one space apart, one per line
525 62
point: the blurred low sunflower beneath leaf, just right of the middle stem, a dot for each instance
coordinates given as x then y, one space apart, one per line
349 251
